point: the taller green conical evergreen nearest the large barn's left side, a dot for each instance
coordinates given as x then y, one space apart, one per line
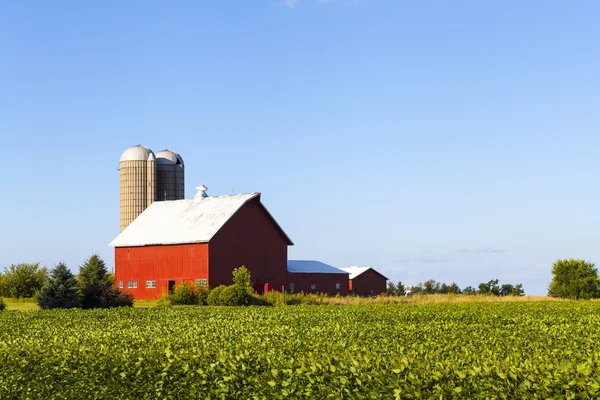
96 289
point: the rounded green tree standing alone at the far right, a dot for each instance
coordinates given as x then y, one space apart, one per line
574 279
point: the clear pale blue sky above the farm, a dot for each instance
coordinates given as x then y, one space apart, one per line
456 141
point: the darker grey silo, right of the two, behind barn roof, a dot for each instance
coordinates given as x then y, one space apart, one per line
169 176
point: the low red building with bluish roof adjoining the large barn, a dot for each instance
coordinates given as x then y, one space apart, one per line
316 277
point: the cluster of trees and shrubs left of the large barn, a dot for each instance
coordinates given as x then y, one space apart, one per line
92 287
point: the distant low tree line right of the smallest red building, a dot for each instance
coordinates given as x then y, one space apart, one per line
431 286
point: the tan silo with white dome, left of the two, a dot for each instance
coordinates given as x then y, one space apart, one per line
137 168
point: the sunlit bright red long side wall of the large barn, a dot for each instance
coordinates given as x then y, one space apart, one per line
180 263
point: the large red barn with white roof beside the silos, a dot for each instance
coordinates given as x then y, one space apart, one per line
200 241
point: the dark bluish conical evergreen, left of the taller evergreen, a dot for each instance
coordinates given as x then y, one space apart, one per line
60 290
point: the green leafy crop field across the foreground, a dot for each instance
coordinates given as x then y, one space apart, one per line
468 350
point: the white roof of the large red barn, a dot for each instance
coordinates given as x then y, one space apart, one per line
184 221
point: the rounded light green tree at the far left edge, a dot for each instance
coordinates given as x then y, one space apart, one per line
24 280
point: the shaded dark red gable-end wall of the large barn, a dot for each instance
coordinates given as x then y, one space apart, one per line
249 238
